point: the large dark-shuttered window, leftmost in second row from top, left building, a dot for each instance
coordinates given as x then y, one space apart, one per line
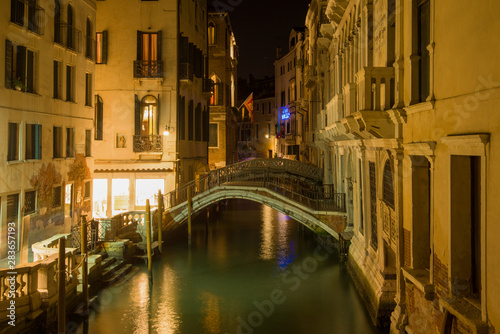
19 67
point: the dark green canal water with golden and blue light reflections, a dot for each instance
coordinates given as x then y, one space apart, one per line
250 270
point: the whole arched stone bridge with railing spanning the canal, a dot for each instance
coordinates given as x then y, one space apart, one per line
288 186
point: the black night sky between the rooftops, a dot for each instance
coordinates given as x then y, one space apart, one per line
259 27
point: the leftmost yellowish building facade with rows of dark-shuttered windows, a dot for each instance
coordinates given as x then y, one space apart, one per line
46 98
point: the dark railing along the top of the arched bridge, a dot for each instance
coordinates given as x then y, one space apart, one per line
297 188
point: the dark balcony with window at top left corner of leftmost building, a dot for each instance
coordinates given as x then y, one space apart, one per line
23 11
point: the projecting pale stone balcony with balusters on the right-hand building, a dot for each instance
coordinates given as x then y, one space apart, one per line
375 88
